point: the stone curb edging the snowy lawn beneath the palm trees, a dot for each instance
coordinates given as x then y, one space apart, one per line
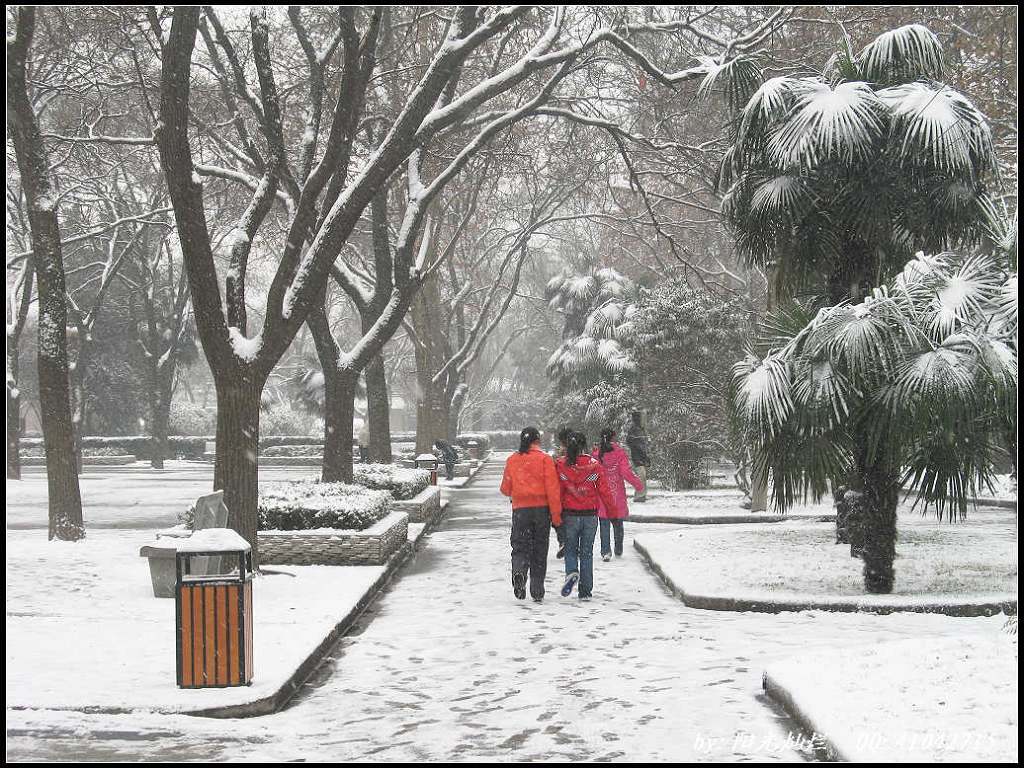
1007 605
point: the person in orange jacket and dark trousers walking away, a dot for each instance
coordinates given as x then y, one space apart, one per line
531 482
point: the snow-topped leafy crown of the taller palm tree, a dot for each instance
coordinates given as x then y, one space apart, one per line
837 181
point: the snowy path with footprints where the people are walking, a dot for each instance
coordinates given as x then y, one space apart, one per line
449 666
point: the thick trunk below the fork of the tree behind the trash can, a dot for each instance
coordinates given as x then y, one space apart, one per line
236 471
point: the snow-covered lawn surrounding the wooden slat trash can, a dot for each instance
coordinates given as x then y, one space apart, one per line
84 630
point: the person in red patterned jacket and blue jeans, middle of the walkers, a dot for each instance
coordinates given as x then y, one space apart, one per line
584 488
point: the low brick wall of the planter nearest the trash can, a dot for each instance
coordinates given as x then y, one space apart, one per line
373 546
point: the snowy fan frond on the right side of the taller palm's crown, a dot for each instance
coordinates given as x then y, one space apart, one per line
936 126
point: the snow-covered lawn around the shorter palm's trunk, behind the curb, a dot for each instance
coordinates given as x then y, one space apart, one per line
799 559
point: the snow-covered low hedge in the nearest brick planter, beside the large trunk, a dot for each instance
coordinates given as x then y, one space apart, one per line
306 505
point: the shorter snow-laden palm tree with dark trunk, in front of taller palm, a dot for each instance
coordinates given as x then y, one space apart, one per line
911 388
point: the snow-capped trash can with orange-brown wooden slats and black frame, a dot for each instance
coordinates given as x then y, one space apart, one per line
215 611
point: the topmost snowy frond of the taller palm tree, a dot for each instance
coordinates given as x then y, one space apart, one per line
906 54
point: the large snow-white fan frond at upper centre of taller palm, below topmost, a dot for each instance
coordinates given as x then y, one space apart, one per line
841 123
